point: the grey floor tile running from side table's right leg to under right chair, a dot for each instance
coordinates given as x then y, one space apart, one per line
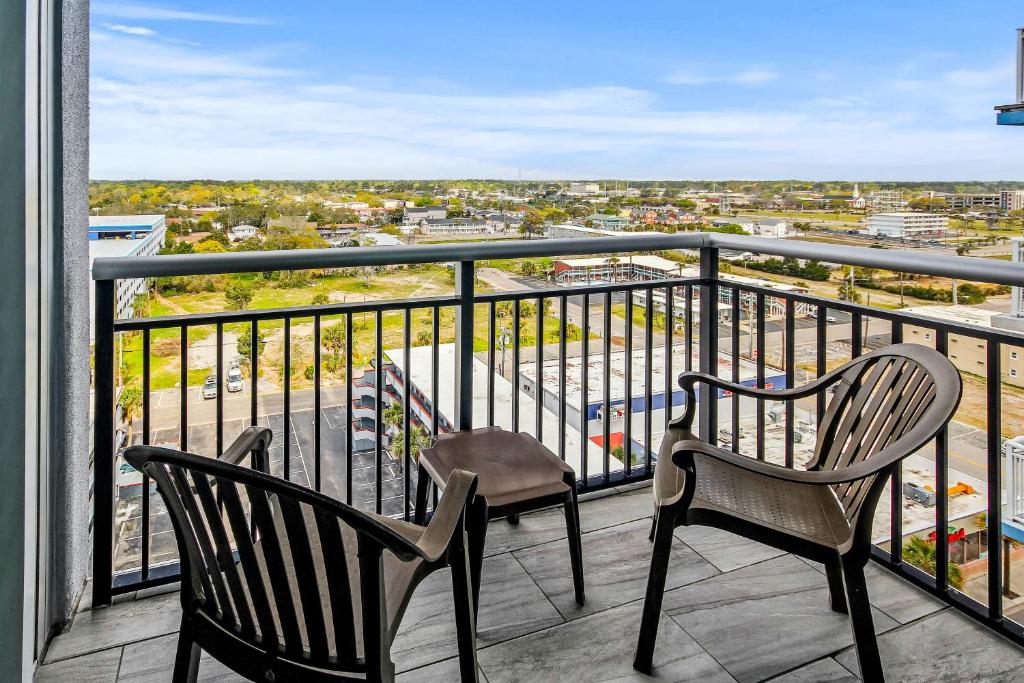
616 564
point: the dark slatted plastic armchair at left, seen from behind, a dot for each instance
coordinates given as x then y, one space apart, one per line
295 586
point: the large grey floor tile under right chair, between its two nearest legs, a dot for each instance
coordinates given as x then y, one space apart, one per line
765 619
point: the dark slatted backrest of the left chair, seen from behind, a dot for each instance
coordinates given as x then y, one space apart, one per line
290 590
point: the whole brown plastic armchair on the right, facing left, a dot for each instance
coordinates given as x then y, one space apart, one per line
887 405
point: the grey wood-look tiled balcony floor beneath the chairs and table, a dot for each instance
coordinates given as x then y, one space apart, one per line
735 611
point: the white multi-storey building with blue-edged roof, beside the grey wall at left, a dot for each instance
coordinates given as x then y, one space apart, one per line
116 237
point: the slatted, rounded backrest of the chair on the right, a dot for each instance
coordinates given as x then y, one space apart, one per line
899 398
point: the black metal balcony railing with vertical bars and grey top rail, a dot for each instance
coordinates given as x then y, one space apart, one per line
598 387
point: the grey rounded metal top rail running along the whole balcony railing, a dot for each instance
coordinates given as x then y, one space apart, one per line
962 268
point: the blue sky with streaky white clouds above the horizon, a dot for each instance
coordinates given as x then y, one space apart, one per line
760 91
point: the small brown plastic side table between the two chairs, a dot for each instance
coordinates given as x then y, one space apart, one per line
517 474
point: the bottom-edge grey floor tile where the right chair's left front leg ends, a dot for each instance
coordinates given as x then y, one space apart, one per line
598 649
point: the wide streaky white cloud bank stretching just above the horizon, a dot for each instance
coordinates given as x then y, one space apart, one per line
180 112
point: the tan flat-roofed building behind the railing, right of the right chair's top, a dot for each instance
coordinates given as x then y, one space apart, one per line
968 354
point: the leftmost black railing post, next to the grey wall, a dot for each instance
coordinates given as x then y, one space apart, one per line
104 433
